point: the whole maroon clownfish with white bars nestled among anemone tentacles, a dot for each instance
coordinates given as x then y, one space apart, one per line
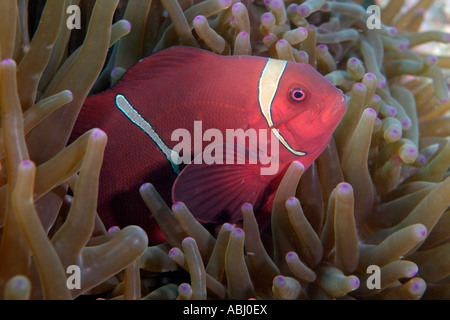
181 103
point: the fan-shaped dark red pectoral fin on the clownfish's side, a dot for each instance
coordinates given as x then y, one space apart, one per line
215 193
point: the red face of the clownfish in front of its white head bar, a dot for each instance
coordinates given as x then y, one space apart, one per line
305 109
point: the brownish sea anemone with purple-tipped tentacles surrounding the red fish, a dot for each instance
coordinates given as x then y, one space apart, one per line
374 204
